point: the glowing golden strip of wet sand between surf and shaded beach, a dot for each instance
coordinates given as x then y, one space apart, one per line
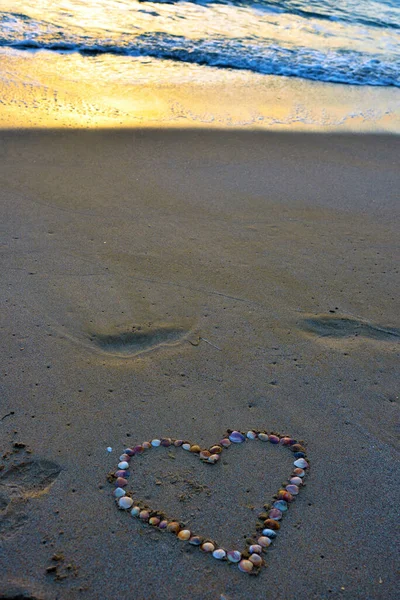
42 89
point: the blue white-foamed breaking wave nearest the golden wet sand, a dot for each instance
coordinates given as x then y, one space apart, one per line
338 67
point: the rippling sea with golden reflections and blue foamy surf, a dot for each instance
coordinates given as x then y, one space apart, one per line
219 35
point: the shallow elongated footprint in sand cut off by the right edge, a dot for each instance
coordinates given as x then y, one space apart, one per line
347 327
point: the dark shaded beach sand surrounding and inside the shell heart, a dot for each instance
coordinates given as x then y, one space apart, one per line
179 283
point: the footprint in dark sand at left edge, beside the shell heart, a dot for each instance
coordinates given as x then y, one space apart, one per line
19 483
